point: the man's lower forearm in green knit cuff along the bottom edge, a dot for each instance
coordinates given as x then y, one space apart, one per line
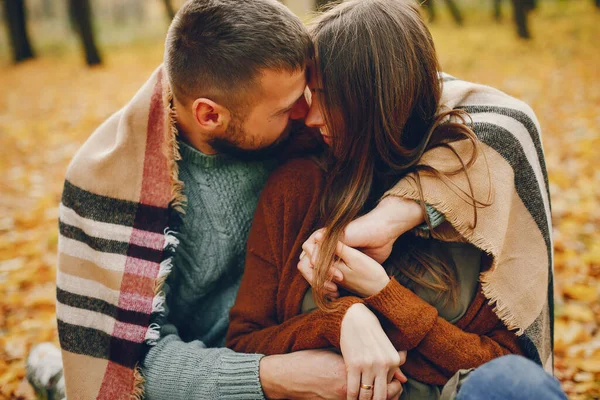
176 370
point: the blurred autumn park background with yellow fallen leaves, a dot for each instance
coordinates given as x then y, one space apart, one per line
49 105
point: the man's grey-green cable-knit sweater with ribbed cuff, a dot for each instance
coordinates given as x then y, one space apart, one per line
189 361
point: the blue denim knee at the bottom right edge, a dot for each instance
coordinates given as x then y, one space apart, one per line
510 378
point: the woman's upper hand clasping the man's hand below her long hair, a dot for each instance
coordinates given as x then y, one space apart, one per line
355 271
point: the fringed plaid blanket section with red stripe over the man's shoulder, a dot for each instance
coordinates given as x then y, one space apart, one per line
114 245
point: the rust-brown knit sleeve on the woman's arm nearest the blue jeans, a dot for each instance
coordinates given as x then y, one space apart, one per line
413 324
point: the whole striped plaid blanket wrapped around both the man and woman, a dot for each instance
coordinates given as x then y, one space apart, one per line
122 194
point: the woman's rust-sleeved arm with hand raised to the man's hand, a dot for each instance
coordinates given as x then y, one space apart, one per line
412 323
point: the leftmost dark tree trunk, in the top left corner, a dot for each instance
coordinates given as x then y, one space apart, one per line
16 22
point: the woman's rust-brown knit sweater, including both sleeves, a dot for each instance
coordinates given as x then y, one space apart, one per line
267 318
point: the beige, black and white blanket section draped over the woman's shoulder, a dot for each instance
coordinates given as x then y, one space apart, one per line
515 230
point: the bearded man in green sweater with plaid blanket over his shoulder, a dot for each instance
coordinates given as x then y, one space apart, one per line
156 210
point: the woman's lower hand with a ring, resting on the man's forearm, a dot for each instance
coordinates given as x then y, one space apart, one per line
371 360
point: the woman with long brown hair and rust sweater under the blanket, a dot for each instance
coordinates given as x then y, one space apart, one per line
376 95
